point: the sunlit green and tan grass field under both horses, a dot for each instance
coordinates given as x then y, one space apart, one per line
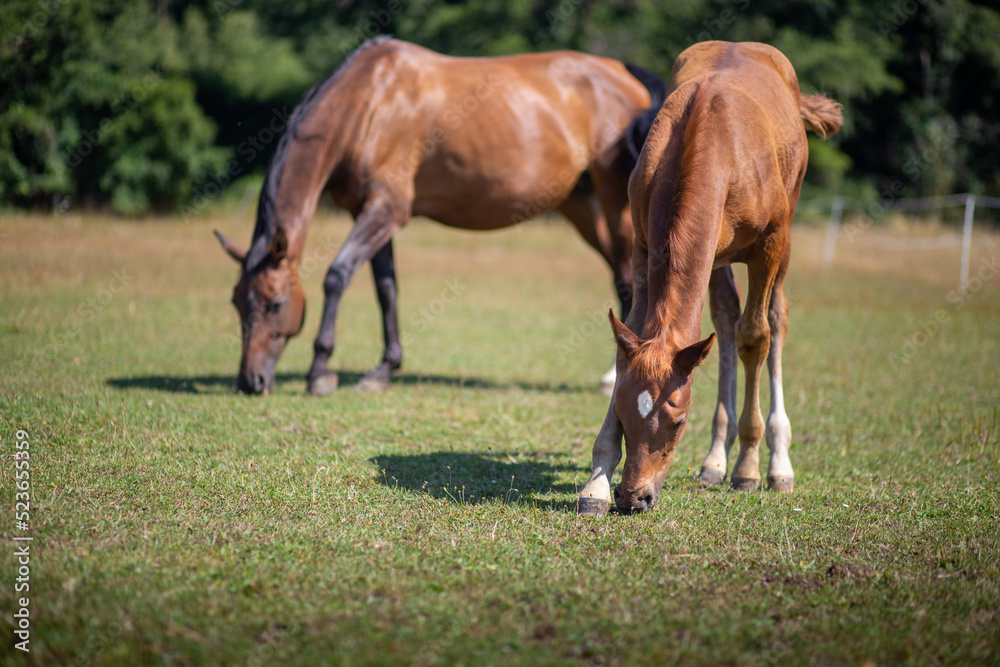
177 522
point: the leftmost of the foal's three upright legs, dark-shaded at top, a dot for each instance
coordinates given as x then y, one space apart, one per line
724 305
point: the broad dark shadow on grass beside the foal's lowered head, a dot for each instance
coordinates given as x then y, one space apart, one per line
467 478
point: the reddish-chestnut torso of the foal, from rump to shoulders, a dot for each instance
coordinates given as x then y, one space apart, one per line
730 134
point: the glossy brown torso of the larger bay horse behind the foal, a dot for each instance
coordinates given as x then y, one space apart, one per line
479 142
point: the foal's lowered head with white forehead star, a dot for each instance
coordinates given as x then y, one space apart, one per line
652 398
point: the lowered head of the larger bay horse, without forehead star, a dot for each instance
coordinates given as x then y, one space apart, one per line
271 305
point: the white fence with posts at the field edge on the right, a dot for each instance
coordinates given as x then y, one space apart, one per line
838 205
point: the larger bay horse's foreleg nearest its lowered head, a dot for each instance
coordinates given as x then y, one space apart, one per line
374 226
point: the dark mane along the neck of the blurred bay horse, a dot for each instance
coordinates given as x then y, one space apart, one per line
266 225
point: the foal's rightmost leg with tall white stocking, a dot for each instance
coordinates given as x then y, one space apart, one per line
780 476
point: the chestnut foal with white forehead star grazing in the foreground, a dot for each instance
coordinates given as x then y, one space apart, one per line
717 182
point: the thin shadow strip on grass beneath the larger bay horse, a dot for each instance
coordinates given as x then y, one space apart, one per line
216 384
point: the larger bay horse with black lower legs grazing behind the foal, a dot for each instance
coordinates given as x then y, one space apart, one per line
474 143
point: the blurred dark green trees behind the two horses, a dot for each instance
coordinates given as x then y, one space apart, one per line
146 105
